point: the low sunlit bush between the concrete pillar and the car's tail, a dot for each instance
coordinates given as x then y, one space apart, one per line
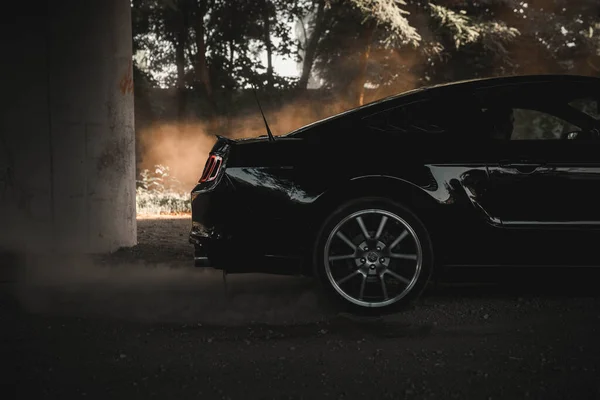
158 192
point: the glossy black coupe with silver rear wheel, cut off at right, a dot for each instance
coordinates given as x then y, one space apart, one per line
498 172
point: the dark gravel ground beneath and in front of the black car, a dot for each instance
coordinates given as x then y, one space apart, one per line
143 323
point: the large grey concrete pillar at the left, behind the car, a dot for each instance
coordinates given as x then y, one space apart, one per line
67 151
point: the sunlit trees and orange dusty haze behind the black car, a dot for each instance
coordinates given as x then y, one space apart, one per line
196 60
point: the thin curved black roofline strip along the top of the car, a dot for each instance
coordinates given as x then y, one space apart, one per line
462 85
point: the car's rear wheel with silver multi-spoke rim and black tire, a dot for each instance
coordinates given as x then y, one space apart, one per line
383 273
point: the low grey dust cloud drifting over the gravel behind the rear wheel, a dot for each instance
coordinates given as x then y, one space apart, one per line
162 293
